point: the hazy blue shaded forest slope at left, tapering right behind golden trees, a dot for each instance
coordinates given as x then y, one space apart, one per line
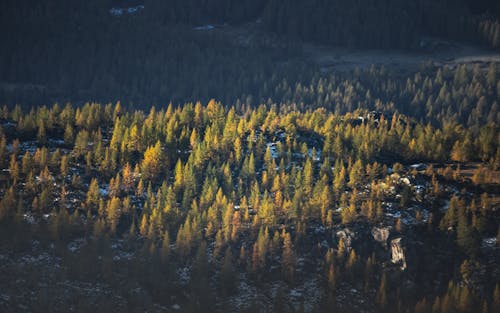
135 59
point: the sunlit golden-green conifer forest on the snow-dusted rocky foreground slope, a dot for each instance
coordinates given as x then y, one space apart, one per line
240 191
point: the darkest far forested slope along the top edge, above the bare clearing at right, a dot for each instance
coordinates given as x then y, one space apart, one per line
388 23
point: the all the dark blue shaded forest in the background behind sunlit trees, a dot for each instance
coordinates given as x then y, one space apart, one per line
61 51
